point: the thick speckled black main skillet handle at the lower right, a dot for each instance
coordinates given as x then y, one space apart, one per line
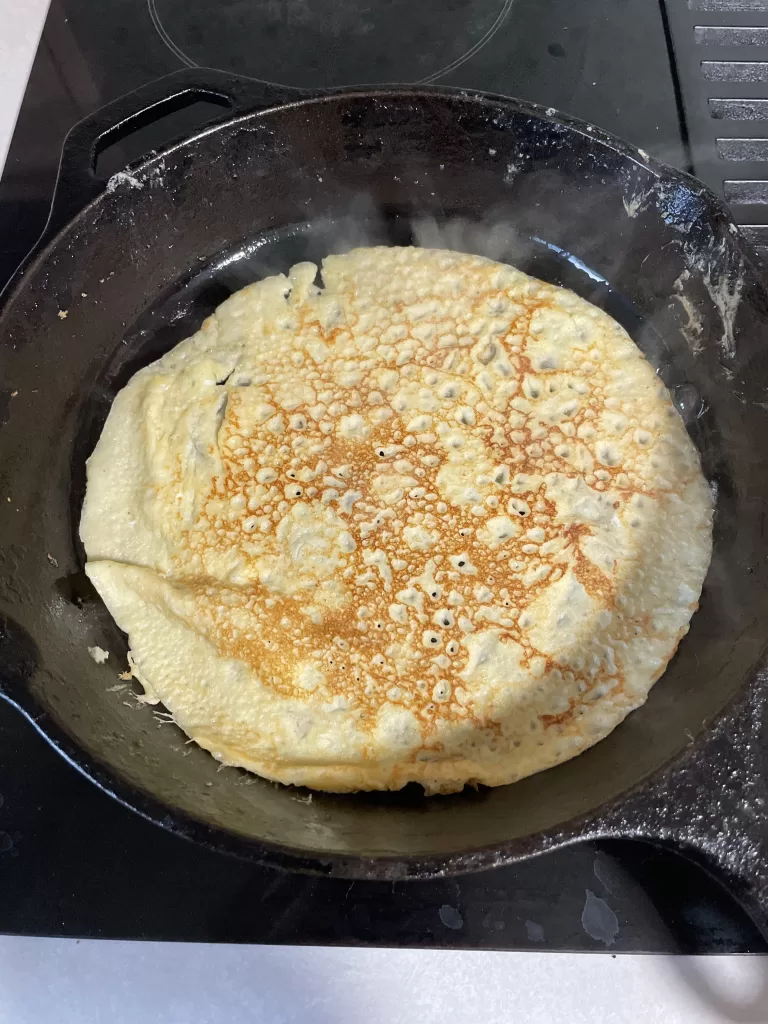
712 804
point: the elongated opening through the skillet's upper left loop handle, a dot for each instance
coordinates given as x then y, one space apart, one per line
155 127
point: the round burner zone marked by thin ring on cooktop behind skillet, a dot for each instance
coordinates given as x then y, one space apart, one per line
326 44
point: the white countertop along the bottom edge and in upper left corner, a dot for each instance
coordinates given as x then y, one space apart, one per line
80 983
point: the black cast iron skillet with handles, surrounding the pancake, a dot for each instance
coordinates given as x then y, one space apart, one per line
156 251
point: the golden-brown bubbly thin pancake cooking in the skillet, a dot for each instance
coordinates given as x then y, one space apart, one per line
435 522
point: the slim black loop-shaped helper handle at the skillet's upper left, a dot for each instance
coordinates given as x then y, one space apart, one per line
78 183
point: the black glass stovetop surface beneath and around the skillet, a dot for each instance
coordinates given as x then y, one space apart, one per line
75 863
